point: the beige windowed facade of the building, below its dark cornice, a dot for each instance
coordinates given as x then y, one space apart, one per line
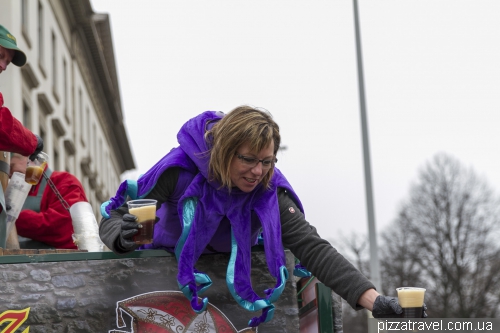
63 105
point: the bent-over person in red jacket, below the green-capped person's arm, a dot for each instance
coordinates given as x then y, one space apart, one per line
43 221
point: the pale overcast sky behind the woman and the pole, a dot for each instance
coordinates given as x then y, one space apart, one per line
432 81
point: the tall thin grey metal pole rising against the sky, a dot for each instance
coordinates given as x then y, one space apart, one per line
374 263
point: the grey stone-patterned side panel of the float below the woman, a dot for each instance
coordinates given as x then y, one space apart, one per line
81 295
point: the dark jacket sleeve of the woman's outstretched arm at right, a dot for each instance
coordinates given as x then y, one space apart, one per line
318 255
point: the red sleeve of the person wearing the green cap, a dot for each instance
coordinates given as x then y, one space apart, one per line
14 137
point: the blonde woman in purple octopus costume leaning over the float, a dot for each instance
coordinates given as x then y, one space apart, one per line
219 191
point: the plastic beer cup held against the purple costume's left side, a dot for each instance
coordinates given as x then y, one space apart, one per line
145 210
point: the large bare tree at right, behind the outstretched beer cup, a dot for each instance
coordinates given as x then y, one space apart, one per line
446 239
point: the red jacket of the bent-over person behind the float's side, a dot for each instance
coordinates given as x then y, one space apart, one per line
53 225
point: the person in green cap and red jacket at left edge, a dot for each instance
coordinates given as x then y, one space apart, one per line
14 137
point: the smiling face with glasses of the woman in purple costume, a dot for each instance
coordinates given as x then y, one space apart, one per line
246 169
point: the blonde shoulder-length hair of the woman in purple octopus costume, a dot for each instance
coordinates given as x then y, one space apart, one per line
244 124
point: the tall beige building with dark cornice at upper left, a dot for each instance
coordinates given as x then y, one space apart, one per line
68 91
